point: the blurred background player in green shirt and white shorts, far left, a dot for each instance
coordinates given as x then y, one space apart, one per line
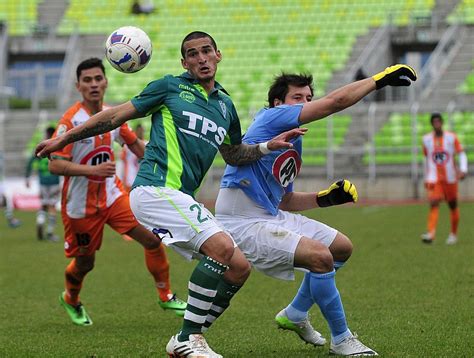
49 193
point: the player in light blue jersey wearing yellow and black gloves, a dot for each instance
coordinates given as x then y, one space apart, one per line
255 201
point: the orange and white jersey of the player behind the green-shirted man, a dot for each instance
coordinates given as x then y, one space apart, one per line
84 196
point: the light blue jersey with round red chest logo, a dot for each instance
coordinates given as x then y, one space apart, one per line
268 179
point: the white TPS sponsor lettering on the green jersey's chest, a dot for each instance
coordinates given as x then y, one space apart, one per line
203 128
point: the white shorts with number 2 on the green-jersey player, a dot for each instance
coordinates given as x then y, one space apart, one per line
176 217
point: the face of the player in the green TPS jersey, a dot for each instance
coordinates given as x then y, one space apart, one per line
200 58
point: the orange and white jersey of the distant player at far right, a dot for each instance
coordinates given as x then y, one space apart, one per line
439 157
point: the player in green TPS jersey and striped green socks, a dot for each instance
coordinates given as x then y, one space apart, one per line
192 118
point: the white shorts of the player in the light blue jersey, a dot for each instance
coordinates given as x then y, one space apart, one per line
268 242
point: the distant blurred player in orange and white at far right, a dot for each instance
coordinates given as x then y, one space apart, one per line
441 176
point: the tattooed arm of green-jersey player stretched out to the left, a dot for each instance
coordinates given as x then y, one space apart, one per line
99 123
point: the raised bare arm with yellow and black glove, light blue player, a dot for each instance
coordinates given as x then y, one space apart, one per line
341 98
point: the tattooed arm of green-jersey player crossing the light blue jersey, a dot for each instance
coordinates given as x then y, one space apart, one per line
241 154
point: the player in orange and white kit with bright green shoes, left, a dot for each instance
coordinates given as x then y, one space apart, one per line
93 196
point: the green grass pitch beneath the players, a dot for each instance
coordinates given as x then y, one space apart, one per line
403 298
